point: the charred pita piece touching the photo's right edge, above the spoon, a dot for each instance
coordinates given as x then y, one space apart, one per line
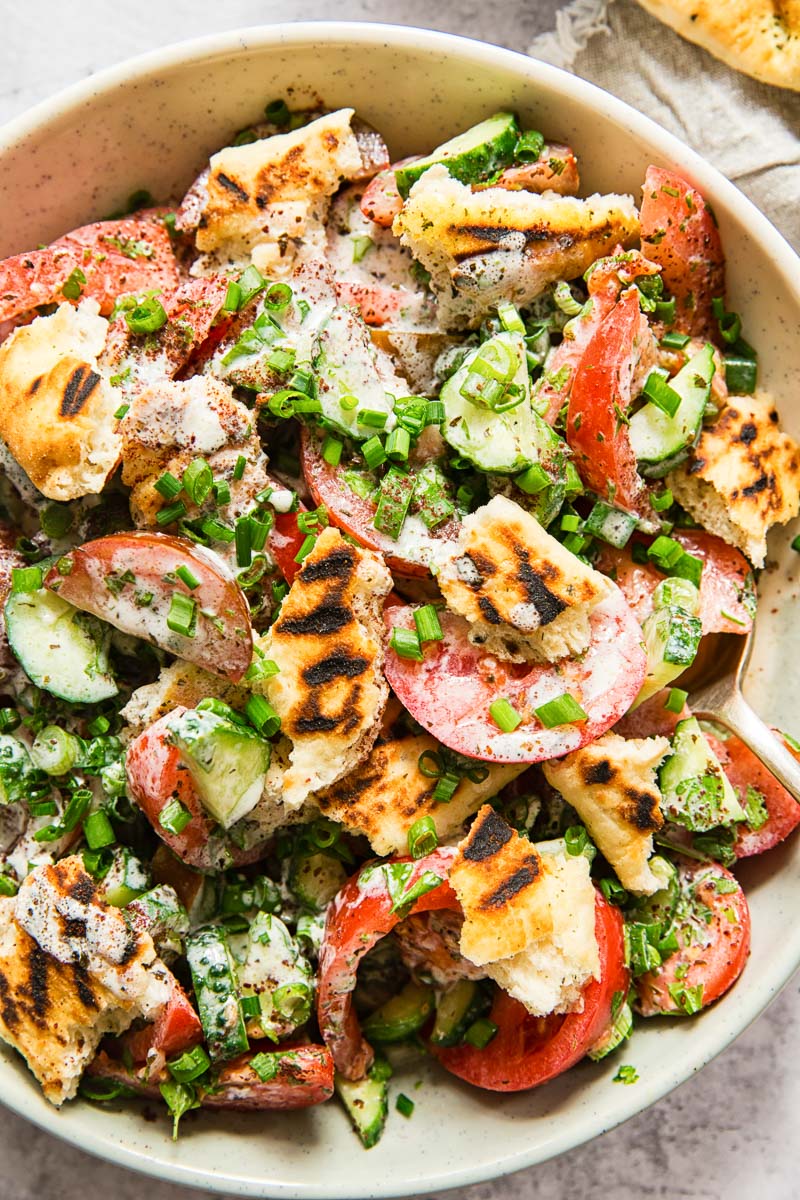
743 477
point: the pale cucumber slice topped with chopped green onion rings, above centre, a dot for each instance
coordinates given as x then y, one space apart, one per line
507 442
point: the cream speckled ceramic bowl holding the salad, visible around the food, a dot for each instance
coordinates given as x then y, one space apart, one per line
152 123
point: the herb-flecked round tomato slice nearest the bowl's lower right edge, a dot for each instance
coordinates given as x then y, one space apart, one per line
713 951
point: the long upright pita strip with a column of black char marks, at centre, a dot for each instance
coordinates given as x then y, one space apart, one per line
328 644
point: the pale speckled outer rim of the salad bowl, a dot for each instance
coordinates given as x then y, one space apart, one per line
747 1004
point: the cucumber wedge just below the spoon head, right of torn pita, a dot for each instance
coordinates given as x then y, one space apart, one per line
696 791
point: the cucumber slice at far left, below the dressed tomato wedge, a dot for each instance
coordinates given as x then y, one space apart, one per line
62 651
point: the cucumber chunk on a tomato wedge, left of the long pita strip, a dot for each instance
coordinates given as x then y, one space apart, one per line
227 763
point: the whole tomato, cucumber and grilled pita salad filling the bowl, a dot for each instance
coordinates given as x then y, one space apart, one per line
360 520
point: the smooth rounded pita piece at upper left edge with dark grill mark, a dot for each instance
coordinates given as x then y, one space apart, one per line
57 411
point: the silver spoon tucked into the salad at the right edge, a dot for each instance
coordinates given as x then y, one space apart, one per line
714 683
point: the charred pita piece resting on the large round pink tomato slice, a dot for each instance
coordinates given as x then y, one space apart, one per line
526 597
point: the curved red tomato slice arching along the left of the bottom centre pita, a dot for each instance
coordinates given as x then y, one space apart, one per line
360 915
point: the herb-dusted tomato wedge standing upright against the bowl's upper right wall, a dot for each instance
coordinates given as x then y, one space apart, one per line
679 232
